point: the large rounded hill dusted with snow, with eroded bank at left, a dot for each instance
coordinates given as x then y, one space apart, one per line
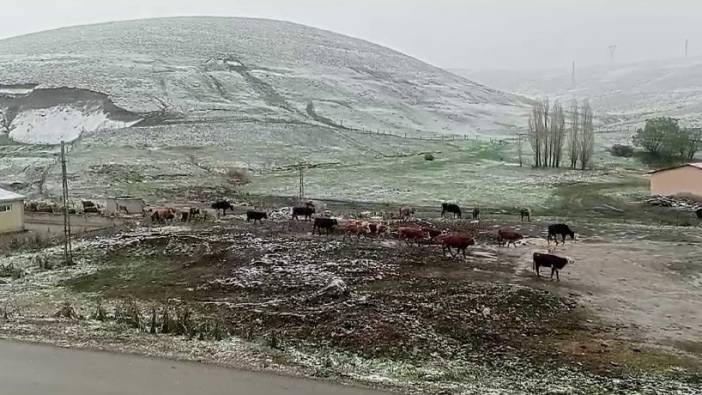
227 69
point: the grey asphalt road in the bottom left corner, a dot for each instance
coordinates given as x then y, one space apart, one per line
27 369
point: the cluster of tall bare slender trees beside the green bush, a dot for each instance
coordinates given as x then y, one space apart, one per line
550 131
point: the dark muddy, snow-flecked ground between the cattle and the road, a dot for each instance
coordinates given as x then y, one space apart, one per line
625 317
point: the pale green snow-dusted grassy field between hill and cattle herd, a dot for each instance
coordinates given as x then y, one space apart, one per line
189 163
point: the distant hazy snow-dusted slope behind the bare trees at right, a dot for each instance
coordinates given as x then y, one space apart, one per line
627 93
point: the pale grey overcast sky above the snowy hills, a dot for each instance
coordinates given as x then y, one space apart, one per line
473 34
